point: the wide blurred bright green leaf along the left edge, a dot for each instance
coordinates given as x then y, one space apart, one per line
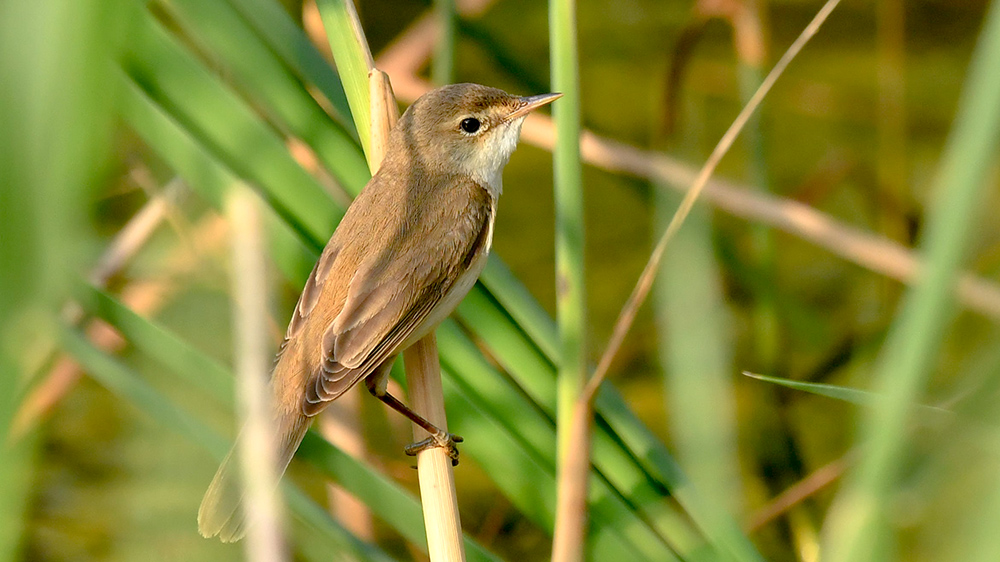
54 125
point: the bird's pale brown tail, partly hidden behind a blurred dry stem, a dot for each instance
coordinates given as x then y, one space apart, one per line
222 512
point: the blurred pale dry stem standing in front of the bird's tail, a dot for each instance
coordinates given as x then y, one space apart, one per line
257 447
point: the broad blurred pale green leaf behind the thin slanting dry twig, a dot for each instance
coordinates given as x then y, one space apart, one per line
699 361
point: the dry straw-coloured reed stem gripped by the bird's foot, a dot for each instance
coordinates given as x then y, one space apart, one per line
423 373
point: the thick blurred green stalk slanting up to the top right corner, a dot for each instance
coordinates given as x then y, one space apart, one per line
858 526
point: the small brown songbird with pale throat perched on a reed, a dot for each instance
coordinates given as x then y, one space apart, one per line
406 252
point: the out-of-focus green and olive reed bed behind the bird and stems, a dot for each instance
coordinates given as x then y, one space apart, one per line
122 123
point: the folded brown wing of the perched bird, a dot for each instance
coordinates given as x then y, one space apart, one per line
390 297
